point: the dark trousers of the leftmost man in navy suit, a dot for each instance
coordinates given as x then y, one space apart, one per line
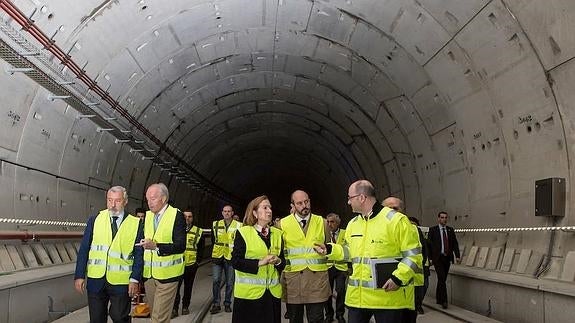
119 306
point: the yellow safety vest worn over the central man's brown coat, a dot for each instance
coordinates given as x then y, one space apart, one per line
298 248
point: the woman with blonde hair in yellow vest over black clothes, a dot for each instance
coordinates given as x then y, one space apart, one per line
258 260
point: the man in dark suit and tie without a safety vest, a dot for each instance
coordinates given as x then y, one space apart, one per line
443 246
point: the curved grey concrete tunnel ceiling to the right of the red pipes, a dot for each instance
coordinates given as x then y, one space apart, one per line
425 98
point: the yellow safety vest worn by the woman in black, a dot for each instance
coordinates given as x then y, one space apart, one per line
250 286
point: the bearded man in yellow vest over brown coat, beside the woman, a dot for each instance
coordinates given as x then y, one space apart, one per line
305 277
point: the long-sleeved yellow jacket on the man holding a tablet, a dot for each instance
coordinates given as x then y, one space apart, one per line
389 236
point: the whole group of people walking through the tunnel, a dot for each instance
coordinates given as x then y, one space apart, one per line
376 264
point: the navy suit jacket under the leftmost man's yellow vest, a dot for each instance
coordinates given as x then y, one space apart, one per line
94 285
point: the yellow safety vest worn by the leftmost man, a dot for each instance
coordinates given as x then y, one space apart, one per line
113 258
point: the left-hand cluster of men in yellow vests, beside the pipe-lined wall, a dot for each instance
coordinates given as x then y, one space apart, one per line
119 251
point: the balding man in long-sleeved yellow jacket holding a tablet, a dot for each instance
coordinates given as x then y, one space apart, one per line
384 249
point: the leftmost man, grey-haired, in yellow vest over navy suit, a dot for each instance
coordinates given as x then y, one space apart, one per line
109 266
